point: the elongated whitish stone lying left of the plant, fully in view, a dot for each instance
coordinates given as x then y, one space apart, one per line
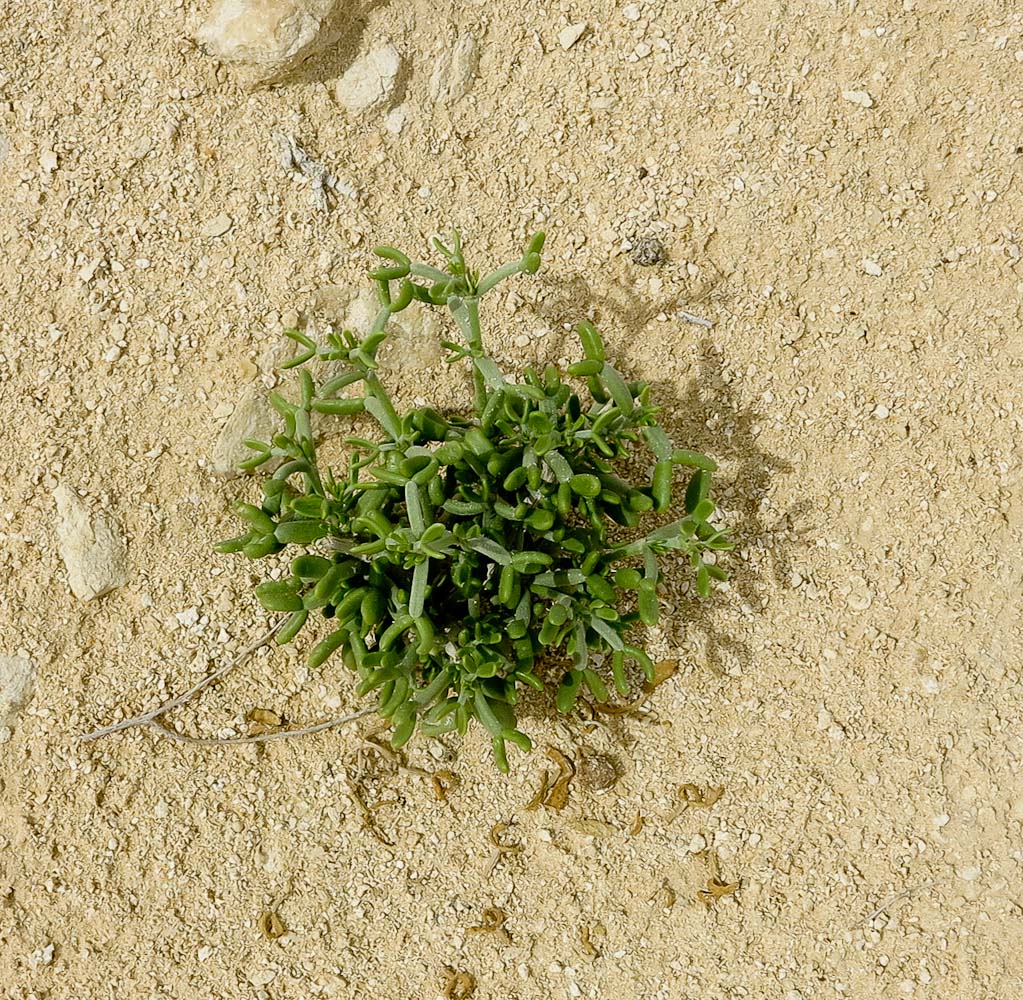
91 546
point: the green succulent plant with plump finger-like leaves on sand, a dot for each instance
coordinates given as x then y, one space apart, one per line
463 556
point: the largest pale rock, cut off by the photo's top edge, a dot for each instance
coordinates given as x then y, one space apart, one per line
271 37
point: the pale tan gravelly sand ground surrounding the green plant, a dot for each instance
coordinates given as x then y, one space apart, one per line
856 690
